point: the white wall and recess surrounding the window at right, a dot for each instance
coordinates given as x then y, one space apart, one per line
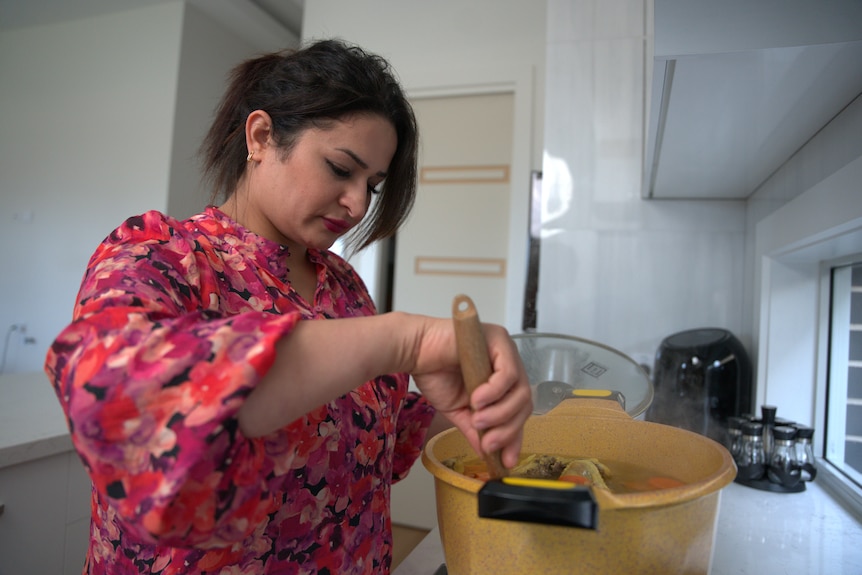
809 211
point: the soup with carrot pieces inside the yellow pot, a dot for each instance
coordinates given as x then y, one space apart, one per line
616 476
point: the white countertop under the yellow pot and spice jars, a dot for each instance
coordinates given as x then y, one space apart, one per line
759 533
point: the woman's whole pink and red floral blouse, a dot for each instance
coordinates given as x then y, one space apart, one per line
174 325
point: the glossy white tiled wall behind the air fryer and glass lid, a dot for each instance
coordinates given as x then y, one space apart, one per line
616 268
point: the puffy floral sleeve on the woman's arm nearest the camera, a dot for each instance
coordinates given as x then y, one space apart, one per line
151 377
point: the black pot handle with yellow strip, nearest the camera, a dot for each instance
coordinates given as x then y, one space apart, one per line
543 501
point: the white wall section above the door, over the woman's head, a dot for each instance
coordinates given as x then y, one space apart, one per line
432 43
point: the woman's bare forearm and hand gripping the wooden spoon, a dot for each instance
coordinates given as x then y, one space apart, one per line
324 359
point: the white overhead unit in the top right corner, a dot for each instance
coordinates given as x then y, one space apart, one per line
738 86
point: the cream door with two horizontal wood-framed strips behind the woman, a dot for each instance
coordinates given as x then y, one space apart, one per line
456 240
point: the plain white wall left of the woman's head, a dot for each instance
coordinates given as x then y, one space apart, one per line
100 119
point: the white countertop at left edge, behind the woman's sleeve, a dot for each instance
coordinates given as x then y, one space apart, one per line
32 423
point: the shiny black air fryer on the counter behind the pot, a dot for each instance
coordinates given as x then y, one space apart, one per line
701 377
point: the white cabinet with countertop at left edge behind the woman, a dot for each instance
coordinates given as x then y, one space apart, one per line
44 489
